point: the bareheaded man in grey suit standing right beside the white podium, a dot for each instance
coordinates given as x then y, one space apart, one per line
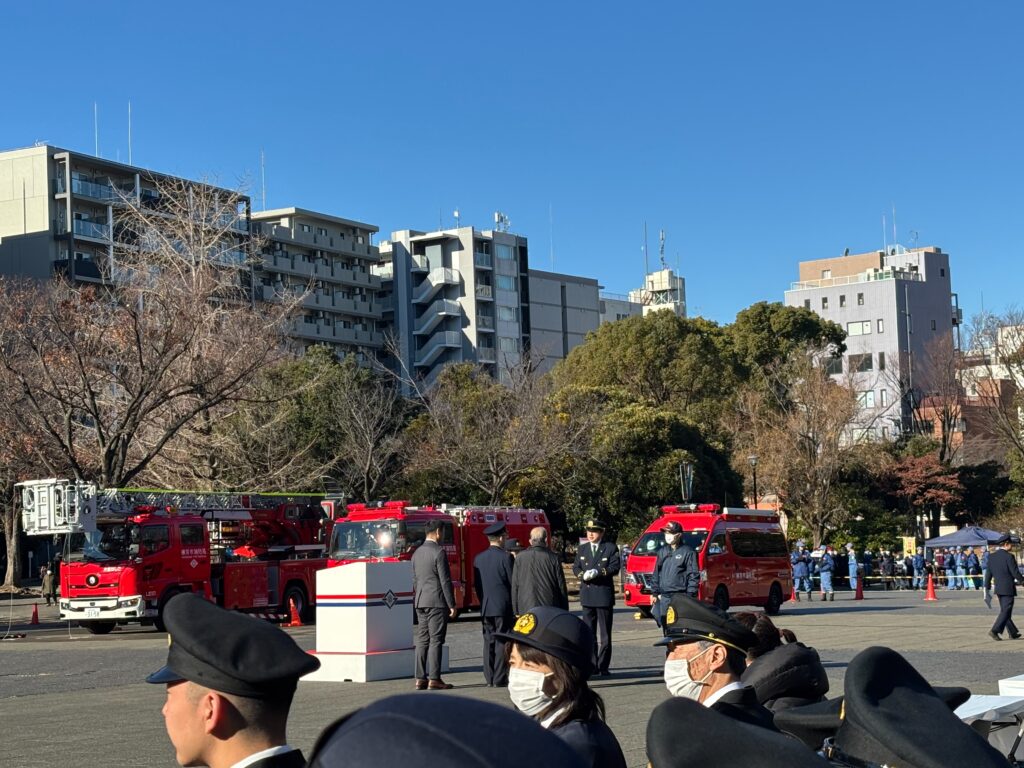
434 602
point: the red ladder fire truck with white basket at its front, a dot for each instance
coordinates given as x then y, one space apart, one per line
129 551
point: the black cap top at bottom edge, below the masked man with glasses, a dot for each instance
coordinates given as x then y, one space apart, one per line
723 742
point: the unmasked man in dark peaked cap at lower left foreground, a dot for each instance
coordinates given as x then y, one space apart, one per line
231 679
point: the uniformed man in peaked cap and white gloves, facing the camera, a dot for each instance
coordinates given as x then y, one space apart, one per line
596 565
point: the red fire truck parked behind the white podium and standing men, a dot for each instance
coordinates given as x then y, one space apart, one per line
393 531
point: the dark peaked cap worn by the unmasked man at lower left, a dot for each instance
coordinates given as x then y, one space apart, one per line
230 653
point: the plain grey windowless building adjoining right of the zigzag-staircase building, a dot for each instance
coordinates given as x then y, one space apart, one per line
564 309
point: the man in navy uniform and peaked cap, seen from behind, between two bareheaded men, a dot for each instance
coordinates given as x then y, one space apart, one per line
493 582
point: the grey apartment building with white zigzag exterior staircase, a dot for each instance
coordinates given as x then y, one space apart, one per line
456 296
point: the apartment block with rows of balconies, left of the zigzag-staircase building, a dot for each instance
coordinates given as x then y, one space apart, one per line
333 260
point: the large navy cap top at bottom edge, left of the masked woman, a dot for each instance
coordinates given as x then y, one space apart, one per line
440 731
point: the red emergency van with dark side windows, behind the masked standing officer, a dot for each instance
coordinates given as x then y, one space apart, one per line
742 554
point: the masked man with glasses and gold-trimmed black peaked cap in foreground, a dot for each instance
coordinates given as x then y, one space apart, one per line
707 656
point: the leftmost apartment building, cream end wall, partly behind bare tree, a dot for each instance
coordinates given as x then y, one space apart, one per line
58 212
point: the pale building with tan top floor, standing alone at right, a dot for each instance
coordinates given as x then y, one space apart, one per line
900 312
